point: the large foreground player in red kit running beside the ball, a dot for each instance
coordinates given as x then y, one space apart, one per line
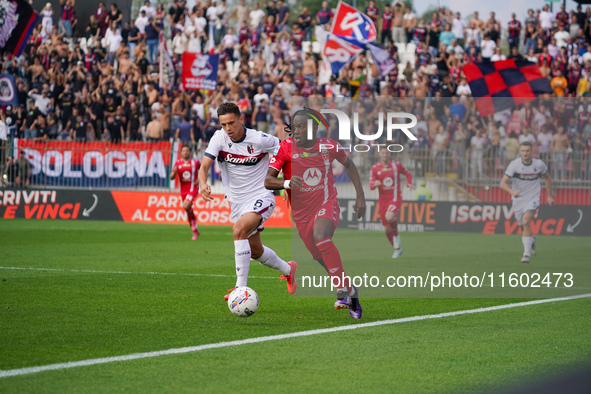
310 185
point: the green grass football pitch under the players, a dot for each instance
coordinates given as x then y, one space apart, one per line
86 290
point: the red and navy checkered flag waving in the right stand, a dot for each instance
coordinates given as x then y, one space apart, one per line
505 84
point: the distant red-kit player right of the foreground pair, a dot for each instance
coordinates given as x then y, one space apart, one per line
385 175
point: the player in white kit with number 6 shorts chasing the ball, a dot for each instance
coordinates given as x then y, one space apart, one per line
244 157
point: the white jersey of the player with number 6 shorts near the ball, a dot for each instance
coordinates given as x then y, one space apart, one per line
244 163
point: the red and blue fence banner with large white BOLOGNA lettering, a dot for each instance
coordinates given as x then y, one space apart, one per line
97 164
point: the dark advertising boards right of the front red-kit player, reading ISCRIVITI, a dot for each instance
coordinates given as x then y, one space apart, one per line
471 217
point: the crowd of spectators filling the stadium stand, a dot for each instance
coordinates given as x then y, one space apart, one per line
98 80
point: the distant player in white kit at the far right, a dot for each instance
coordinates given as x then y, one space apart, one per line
525 173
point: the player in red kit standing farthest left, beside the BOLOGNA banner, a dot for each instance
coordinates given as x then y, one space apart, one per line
187 169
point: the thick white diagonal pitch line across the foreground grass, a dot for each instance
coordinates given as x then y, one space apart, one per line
190 349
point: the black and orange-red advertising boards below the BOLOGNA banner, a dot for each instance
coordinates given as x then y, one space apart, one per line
127 206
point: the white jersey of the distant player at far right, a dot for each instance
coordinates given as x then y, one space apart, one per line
526 179
